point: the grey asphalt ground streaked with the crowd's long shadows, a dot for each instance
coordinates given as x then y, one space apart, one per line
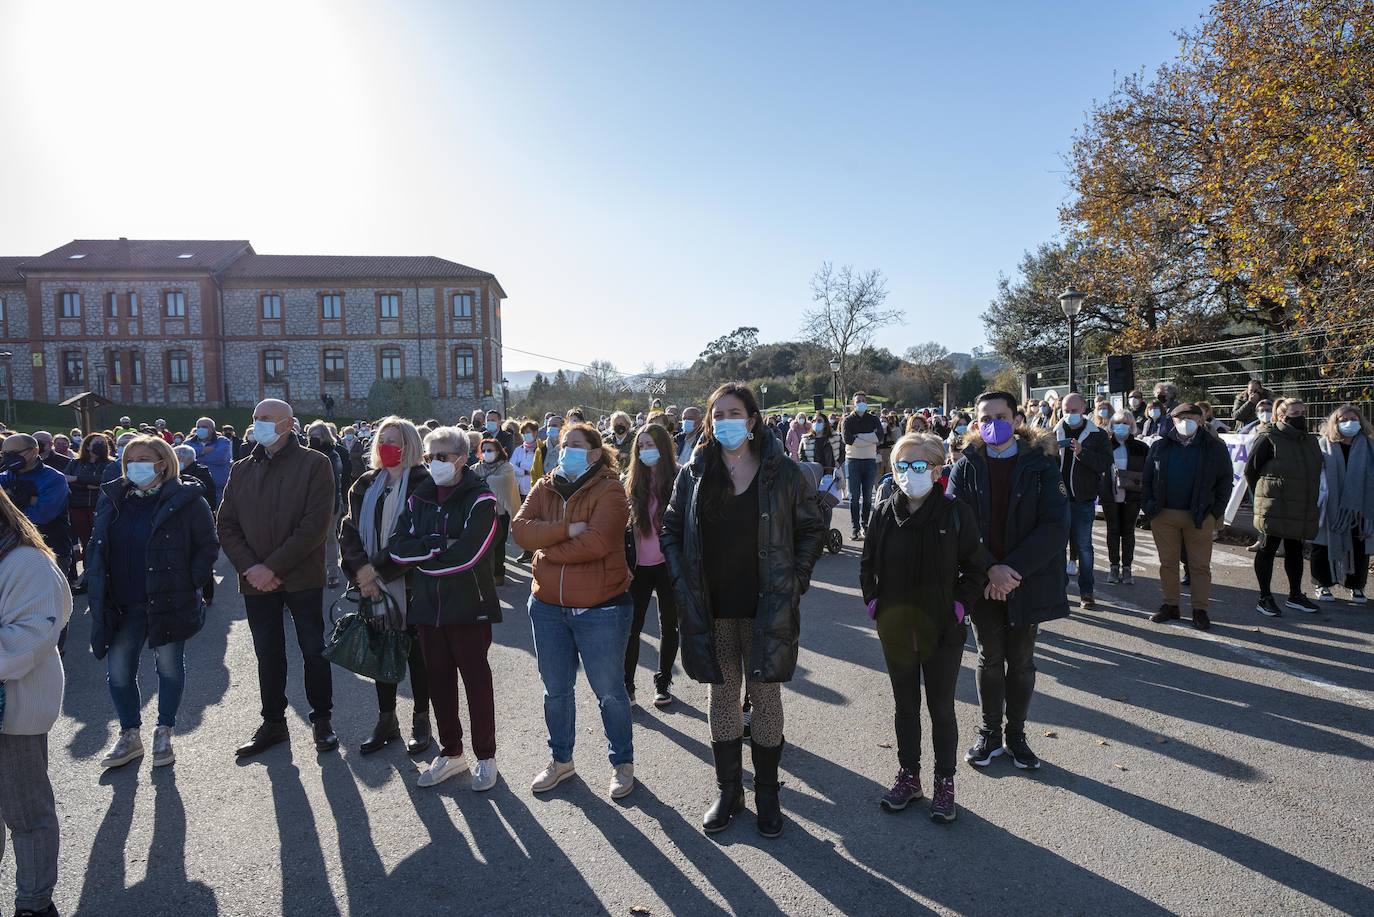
1189 773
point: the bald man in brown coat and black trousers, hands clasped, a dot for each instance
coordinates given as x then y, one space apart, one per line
274 516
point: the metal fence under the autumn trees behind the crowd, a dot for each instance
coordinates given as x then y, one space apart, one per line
1325 368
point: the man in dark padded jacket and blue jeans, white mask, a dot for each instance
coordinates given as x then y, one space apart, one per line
1085 456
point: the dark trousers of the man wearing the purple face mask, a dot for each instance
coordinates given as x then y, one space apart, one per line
1006 667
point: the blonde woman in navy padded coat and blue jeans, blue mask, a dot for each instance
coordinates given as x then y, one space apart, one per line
152 553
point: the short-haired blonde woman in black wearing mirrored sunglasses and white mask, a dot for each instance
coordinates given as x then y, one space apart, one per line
923 566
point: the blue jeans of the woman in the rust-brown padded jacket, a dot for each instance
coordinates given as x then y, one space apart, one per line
598 639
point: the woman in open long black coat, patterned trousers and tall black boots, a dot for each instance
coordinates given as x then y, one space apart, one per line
741 537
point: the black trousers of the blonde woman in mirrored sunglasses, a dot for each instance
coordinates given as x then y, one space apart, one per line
942 674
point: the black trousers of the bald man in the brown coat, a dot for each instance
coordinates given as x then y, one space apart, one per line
269 628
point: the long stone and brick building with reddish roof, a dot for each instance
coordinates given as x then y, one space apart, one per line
215 324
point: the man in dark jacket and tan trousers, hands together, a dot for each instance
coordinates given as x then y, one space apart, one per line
1184 496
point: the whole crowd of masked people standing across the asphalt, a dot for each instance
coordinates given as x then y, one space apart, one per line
973 519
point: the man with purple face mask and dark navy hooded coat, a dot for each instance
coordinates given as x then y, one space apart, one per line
1013 482
